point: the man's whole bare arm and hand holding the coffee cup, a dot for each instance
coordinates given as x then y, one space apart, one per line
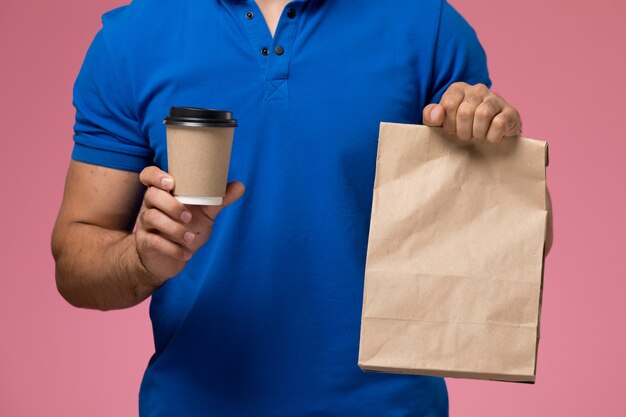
99 262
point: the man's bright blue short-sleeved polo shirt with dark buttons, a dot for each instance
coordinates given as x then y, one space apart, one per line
265 319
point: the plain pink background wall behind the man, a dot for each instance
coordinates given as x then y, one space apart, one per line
562 63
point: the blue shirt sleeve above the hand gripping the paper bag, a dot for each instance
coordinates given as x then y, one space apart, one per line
459 55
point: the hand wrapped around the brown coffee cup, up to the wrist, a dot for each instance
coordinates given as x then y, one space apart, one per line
169 232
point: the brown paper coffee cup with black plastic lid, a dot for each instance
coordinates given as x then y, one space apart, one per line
199 143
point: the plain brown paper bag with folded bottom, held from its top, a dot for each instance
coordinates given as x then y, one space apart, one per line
454 266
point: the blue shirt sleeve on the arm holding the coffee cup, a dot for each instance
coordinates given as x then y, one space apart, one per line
106 131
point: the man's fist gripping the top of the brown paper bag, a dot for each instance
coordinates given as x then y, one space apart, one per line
473 111
